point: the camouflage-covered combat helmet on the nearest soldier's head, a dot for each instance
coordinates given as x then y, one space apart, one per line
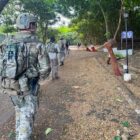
24 20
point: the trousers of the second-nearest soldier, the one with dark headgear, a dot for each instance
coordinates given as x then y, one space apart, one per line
54 68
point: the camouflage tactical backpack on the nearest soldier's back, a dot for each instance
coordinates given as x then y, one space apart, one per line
14 60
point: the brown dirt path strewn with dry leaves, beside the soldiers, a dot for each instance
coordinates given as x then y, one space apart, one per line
84 104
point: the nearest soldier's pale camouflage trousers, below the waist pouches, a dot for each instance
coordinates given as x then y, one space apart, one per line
25 113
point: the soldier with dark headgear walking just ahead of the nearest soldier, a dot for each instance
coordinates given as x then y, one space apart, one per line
53 50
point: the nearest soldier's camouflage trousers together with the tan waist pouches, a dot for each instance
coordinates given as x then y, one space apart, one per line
25 103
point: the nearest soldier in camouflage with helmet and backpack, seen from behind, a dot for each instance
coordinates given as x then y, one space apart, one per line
23 61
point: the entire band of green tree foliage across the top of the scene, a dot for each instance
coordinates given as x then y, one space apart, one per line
94 21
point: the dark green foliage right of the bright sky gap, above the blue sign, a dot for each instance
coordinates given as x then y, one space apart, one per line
91 15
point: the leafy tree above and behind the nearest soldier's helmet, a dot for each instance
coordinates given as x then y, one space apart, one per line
45 10
